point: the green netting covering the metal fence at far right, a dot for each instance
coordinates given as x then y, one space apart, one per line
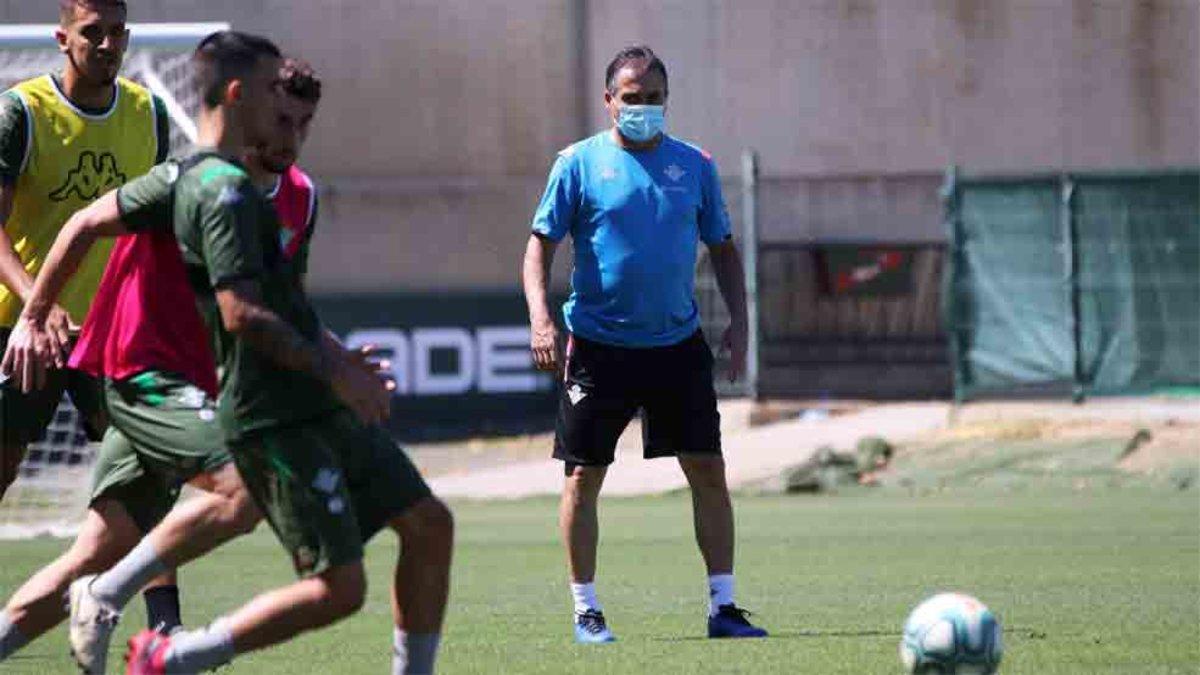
1088 284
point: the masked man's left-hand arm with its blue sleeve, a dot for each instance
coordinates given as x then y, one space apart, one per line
551 223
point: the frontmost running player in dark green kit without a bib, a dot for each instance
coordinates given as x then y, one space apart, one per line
299 413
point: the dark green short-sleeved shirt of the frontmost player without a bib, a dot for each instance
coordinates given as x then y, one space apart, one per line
229 232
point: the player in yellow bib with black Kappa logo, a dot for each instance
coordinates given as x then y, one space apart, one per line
67 139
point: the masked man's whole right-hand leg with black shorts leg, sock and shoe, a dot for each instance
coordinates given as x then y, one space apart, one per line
681 419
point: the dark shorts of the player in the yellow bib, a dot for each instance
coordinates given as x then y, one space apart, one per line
25 417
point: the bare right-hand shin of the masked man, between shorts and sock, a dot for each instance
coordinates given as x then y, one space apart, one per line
712 511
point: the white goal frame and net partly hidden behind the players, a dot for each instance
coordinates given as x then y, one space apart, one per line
51 492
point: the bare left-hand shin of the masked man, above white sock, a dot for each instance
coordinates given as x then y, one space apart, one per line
579 521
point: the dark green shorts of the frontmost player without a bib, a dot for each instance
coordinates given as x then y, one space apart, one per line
328 486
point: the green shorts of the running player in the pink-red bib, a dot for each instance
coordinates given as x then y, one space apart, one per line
164 433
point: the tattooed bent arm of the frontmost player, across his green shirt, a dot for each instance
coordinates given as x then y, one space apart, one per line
245 315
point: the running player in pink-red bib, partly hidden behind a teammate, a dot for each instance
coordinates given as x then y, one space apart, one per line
146 339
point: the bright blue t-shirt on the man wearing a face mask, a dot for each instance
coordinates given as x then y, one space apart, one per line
635 218
